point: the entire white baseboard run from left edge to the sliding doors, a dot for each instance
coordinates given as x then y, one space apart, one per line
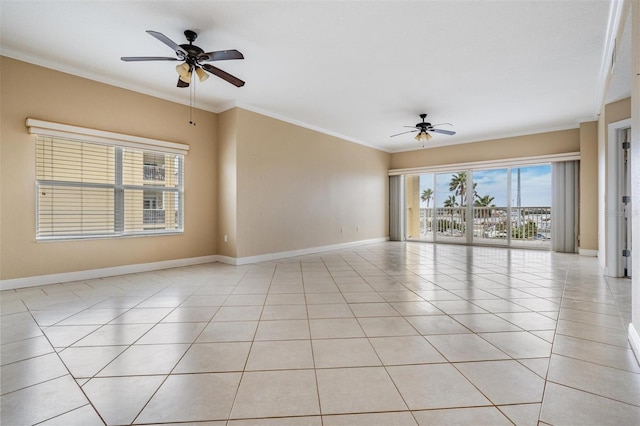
15 283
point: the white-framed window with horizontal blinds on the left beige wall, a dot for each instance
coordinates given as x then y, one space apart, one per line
88 189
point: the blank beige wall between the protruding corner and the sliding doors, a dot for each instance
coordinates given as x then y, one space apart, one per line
298 188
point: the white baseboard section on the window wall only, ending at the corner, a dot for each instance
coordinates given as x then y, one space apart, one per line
101 273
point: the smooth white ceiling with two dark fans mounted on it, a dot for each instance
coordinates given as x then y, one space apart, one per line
360 70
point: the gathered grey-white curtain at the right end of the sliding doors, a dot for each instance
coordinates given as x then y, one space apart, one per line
564 206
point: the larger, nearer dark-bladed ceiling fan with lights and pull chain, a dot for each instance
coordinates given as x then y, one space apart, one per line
192 58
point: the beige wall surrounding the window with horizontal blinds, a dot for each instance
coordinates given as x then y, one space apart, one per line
36 92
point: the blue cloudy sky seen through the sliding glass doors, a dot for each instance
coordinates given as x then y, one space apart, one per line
535 186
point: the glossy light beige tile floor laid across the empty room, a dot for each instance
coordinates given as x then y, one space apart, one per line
384 334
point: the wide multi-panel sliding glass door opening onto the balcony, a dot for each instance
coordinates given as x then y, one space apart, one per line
507 206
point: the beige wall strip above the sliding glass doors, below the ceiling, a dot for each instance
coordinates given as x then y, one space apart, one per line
497 149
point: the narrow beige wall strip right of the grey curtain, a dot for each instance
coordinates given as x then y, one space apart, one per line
588 184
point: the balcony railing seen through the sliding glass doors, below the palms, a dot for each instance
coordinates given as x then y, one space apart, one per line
527 225
